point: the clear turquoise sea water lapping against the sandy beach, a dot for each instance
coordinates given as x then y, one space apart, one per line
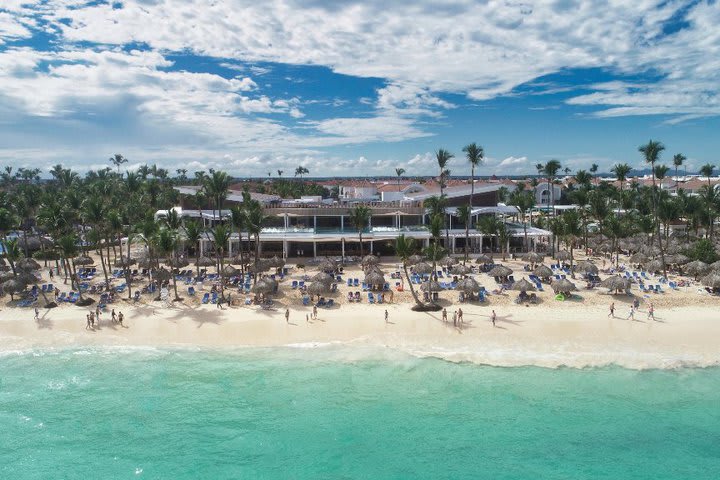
320 413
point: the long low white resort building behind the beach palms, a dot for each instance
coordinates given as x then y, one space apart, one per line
316 226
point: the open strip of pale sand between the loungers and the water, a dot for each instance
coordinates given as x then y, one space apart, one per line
683 337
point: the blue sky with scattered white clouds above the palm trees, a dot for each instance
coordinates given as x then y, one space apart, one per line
357 88
